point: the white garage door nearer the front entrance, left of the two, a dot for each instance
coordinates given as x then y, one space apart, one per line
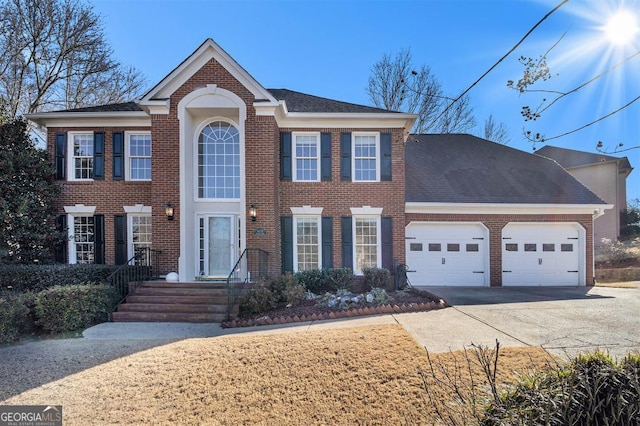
447 254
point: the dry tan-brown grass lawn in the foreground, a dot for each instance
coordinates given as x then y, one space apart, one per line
361 375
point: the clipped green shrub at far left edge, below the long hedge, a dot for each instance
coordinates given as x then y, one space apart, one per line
15 316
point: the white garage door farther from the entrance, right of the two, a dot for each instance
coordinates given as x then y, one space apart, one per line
542 254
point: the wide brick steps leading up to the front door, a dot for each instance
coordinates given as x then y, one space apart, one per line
161 301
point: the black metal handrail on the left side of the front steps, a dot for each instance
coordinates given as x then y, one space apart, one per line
140 267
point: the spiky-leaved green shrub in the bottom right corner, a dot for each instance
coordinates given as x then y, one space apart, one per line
586 391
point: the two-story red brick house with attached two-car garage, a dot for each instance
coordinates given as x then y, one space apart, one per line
209 163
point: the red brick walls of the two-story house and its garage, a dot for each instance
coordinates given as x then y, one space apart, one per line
264 189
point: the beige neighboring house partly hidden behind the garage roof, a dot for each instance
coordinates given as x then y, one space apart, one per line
603 174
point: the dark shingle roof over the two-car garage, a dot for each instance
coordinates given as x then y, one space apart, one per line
460 168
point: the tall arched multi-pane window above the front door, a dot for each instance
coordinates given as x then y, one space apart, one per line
219 161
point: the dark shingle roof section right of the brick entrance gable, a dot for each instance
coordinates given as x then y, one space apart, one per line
301 102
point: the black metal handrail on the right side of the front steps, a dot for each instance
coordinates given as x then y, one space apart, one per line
252 264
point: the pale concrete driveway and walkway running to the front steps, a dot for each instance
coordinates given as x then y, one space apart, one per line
562 320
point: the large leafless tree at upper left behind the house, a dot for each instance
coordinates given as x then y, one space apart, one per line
56 57
